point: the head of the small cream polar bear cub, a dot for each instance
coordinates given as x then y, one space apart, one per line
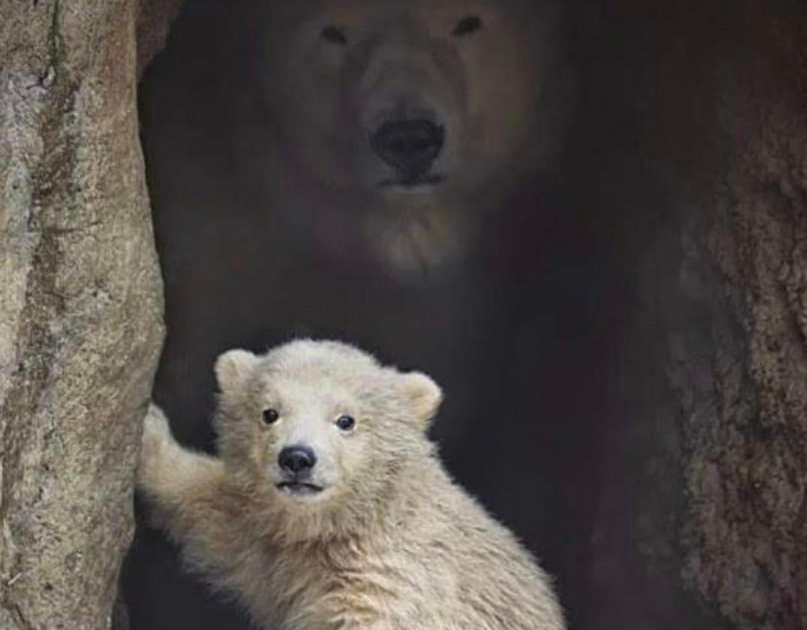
320 425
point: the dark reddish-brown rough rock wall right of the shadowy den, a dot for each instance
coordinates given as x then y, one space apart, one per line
704 516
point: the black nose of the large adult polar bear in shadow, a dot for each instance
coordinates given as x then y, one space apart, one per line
409 146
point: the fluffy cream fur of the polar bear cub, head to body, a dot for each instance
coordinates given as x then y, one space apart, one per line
390 543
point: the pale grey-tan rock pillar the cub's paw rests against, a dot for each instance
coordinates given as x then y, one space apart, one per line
80 308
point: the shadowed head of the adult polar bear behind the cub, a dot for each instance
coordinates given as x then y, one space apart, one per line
410 104
